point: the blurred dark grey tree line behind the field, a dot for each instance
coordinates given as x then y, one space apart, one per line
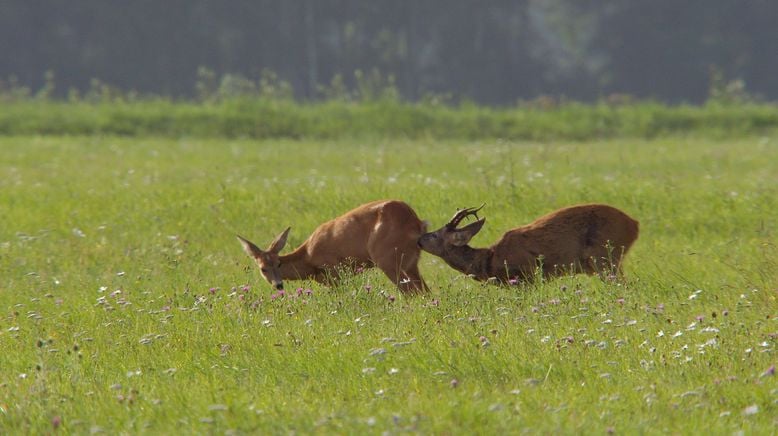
488 51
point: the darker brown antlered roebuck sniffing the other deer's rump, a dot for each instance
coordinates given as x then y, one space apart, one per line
589 238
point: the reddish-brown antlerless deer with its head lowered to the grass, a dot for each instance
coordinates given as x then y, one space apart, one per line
381 233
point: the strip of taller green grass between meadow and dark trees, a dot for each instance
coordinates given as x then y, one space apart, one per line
262 118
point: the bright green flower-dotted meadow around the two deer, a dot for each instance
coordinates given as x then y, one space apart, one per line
123 308
